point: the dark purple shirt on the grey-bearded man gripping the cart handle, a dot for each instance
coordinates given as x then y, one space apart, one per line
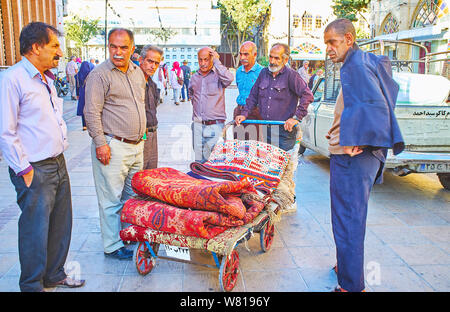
277 97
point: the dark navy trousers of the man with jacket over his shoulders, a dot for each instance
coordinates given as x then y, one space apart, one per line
351 180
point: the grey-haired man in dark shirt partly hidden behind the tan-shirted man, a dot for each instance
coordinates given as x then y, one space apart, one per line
149 63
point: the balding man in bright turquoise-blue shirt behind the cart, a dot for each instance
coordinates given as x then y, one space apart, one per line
246 76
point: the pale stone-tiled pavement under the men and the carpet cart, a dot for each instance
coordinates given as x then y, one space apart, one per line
407 240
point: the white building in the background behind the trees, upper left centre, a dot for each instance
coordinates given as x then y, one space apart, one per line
193 24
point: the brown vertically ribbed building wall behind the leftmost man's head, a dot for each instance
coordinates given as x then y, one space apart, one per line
15 14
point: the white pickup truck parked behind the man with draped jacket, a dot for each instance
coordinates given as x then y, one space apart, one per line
422 111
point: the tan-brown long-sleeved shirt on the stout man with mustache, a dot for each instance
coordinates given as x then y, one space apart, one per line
115 102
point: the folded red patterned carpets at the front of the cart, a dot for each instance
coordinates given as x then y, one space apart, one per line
174 202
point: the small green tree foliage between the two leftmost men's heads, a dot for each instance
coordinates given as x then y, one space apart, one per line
80 30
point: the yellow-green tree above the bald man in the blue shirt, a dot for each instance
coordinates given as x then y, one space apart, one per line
242 20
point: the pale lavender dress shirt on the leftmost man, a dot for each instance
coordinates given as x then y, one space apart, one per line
31 123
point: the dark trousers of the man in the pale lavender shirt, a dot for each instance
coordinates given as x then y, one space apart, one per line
45 223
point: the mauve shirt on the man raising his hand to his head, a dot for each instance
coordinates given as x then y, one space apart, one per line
208 93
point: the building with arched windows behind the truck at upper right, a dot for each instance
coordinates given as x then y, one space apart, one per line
425 22
